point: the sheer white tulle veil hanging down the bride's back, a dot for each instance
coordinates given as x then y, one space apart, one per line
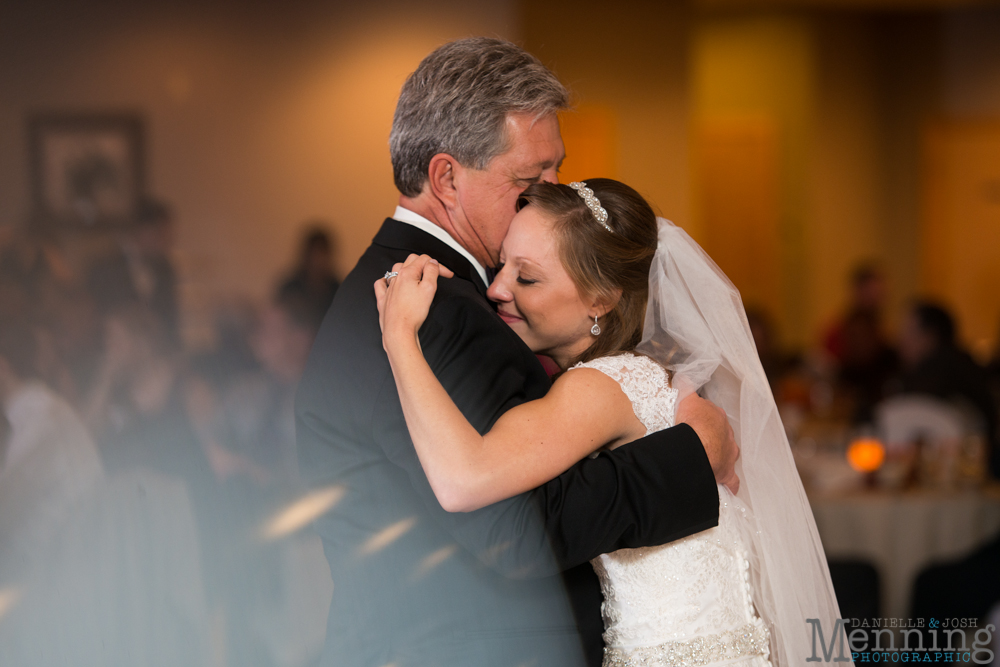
696 325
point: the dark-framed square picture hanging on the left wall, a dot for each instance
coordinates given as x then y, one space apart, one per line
87 169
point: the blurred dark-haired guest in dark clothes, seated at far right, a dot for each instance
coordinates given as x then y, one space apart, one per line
934 364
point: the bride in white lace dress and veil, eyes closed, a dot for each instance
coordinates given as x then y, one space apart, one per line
636 316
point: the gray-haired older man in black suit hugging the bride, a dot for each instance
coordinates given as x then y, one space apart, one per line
414 585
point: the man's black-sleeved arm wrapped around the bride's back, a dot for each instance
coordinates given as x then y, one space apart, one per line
647 493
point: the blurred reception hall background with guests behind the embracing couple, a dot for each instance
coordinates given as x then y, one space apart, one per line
183 185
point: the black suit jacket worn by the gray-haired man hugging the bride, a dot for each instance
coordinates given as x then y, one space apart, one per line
415 585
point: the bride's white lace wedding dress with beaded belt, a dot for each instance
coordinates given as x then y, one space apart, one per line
686 603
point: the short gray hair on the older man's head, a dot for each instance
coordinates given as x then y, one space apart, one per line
457 102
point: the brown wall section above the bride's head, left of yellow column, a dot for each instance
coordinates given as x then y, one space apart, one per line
630 61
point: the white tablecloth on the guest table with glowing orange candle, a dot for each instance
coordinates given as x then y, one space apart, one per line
901 533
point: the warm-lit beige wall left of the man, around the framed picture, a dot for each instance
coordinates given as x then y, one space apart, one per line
259 115
